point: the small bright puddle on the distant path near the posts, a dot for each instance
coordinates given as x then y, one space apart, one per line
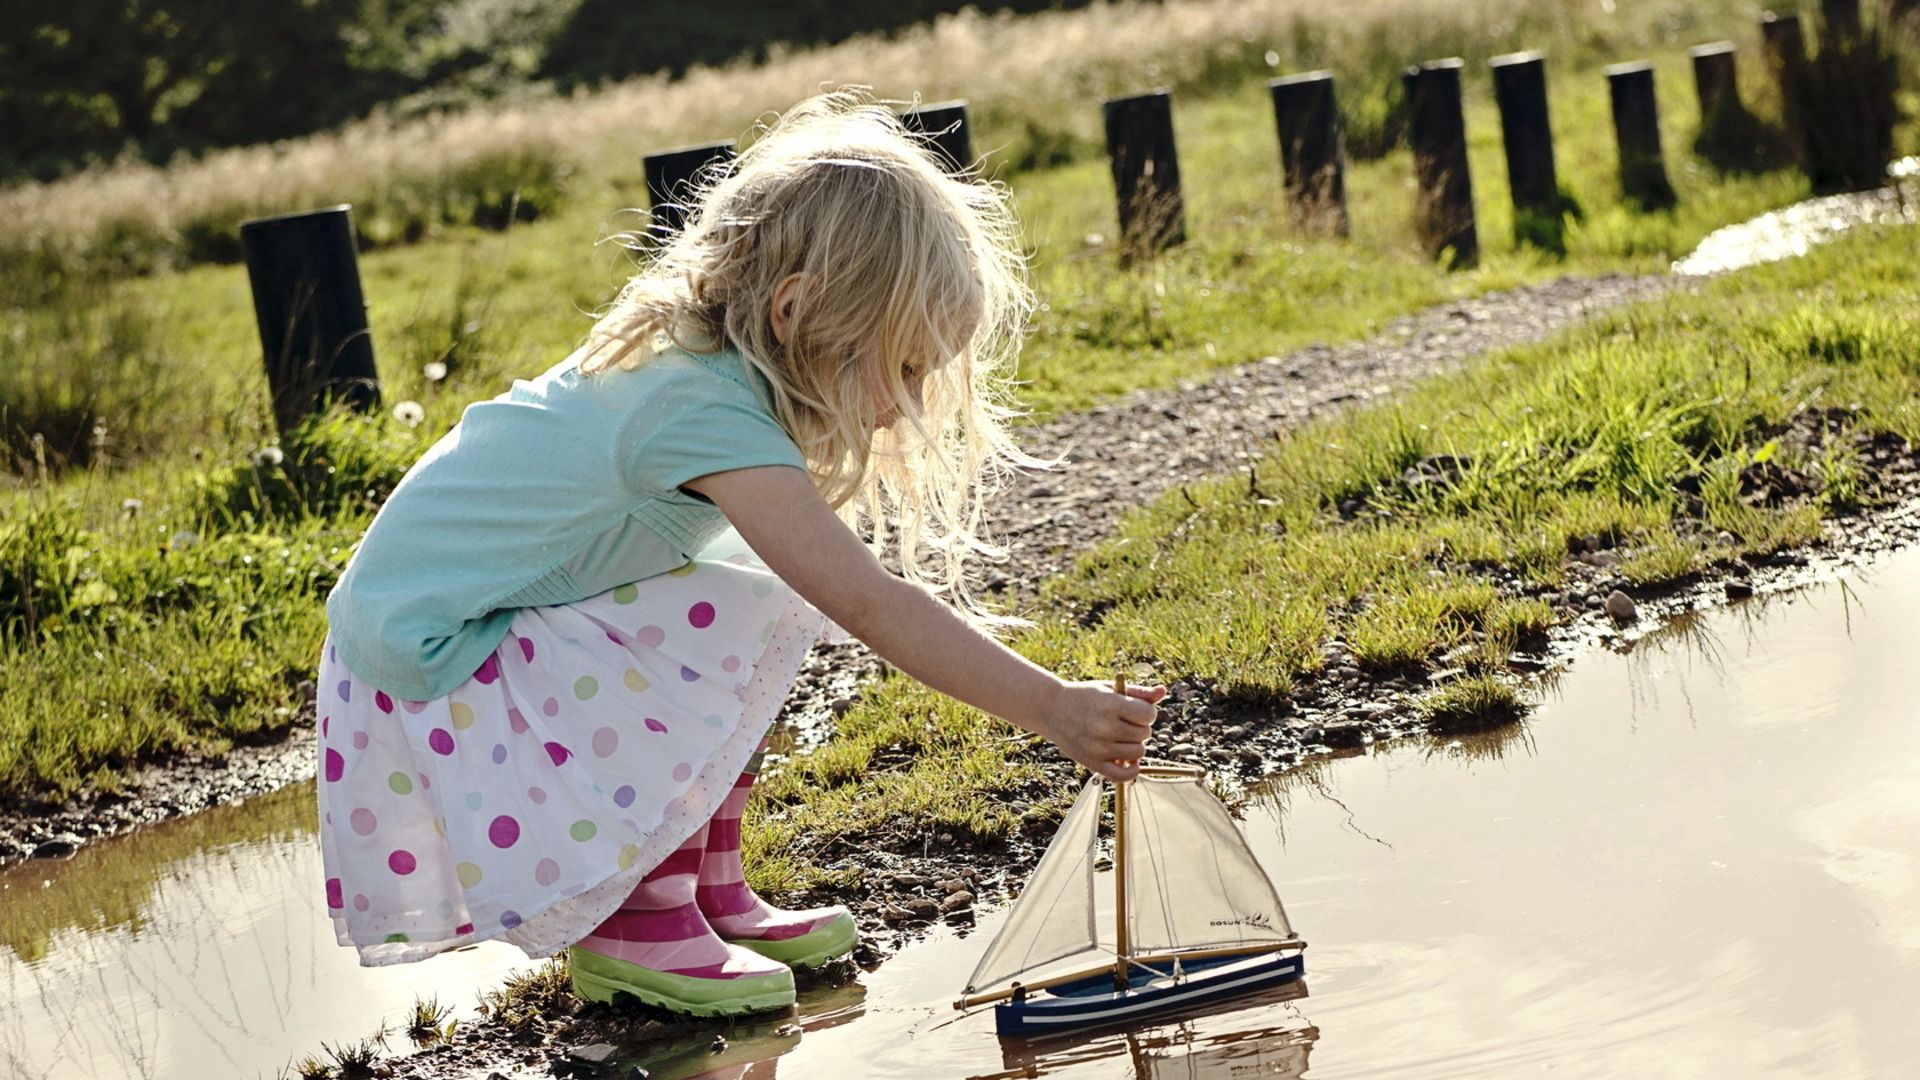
1800 228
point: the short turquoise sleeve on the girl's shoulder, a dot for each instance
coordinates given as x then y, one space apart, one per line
709 437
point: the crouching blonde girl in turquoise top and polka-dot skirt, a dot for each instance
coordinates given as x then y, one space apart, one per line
558 649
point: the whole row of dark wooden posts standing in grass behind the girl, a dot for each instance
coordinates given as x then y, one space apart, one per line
314 320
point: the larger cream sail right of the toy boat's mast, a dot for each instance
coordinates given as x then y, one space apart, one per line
1191 879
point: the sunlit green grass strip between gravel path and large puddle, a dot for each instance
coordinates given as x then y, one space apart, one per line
1589 439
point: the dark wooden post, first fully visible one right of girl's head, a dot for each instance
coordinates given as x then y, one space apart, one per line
1147 172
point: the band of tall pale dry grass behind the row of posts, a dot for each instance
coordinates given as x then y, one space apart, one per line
1036 80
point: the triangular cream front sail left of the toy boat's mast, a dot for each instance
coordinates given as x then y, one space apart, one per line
1055 916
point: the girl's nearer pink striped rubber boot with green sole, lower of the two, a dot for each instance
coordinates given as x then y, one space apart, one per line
661 950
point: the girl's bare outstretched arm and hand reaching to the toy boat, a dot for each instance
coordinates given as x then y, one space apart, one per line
786 522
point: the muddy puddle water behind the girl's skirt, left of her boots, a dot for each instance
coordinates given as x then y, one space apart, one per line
199 948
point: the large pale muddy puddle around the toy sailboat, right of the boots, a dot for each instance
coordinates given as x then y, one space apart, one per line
1696 860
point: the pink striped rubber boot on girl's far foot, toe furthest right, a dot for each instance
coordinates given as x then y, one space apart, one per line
800 939
